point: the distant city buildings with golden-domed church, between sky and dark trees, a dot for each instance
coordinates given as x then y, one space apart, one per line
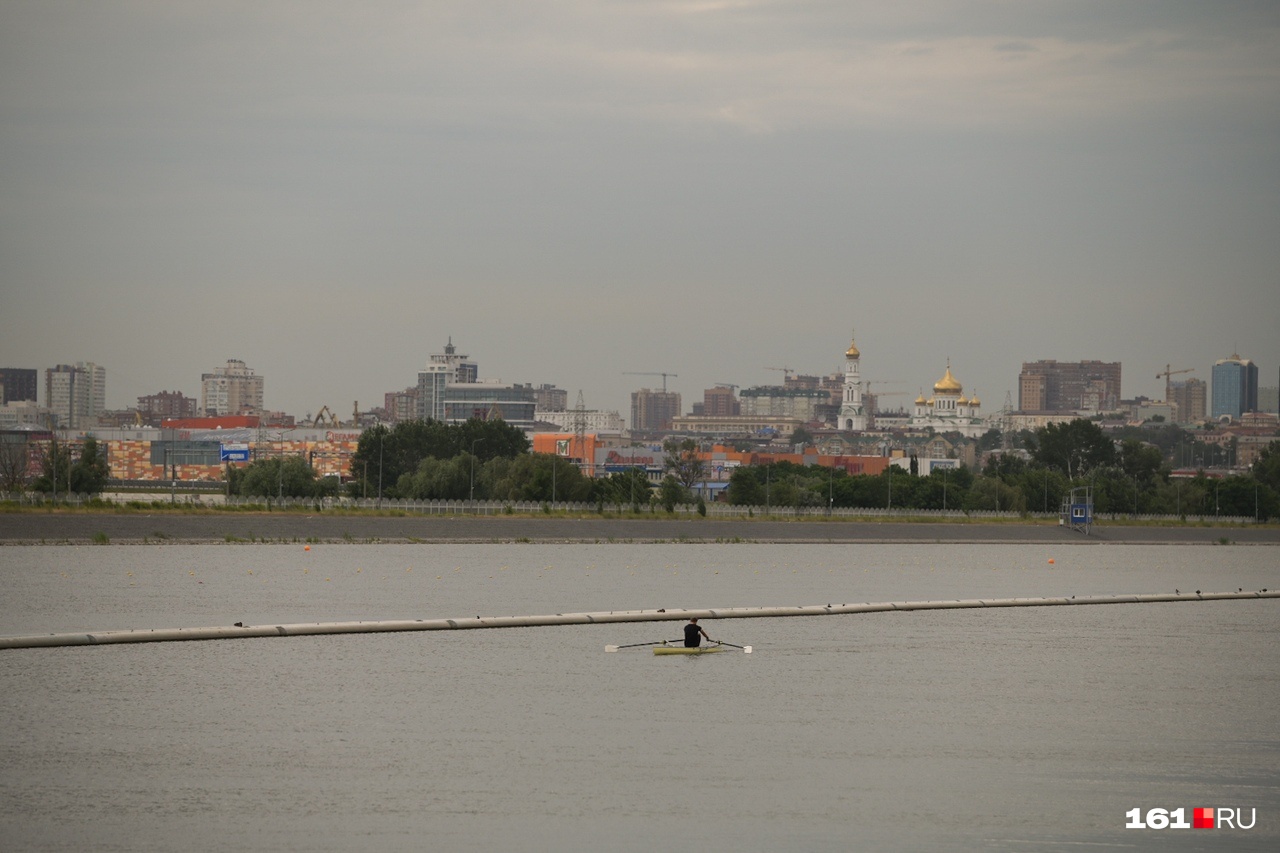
838 416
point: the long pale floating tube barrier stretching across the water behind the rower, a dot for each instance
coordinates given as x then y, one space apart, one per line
310 630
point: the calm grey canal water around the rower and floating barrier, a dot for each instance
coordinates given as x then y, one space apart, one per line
1007 729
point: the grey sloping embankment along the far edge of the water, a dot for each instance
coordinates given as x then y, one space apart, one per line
35 528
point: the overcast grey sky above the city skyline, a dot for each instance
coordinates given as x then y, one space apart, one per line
574 190
